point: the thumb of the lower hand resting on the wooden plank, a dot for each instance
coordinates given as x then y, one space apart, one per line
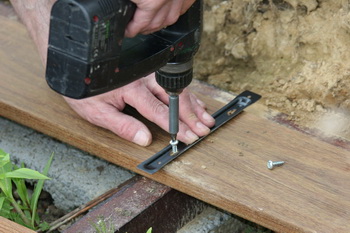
98 112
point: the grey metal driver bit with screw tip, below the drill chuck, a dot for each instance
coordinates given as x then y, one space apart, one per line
174 120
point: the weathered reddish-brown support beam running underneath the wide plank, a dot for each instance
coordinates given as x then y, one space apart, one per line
140 204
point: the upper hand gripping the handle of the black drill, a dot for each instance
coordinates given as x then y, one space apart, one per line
153 15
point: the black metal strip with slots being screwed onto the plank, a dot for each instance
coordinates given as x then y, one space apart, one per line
226 113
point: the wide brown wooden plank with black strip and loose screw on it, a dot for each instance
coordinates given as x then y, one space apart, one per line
310 193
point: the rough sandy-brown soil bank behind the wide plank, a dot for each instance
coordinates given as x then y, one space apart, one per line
293 52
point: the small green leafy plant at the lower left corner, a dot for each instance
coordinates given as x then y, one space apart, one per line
12 179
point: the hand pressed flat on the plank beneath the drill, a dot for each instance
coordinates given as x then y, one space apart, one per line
151 101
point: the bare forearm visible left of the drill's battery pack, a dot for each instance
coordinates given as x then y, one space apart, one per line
35 14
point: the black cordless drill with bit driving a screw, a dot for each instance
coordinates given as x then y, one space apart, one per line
88 54
